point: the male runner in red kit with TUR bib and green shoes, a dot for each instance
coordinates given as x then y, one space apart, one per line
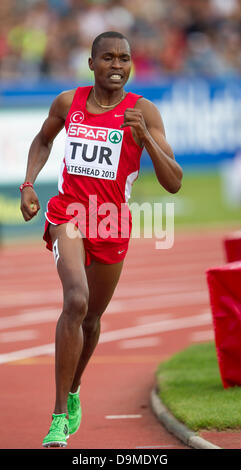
107 129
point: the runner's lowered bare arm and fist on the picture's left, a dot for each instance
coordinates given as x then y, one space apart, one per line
40 149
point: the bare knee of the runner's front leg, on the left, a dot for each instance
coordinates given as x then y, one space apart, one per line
76 303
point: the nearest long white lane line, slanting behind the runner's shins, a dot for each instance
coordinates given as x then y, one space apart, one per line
106 337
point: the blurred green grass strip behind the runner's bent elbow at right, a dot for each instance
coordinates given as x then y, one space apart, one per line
200 202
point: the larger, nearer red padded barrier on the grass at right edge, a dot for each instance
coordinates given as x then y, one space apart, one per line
224 285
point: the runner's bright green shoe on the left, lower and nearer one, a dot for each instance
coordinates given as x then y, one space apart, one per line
58 432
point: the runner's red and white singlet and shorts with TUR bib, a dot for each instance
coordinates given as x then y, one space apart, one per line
101 163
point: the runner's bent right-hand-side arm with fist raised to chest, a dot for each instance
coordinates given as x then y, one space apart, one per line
147 124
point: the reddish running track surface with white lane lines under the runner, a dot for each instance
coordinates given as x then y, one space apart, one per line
160 306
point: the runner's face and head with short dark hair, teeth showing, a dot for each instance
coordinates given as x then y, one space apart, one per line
112 63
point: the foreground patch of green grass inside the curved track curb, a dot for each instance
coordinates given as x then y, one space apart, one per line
190 386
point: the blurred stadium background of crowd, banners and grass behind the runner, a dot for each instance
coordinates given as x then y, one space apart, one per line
186 59
